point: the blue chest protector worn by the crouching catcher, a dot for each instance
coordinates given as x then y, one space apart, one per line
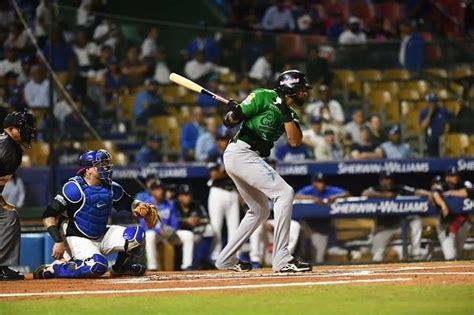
96 204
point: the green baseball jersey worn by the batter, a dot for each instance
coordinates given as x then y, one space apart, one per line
264 121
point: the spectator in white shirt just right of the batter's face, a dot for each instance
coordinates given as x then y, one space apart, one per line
335 109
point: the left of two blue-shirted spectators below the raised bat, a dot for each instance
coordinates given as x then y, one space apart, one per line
190 132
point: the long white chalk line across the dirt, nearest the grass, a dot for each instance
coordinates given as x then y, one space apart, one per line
230 287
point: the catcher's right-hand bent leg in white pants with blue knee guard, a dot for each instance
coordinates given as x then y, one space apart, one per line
129 242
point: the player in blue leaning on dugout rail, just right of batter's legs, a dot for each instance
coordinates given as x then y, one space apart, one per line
320 193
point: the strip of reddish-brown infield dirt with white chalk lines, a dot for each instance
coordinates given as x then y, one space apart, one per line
182 282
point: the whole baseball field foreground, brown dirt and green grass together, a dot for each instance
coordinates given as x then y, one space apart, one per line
424 288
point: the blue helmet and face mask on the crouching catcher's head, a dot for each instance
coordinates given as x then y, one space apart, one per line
101 160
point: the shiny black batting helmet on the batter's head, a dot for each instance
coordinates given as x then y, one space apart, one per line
291 83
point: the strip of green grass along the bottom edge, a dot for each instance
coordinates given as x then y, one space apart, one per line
337 300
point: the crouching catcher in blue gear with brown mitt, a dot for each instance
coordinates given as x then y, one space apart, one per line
77 219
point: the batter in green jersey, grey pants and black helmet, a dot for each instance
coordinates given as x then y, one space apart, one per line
265 116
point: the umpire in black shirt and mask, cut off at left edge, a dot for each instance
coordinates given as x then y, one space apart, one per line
18 132
